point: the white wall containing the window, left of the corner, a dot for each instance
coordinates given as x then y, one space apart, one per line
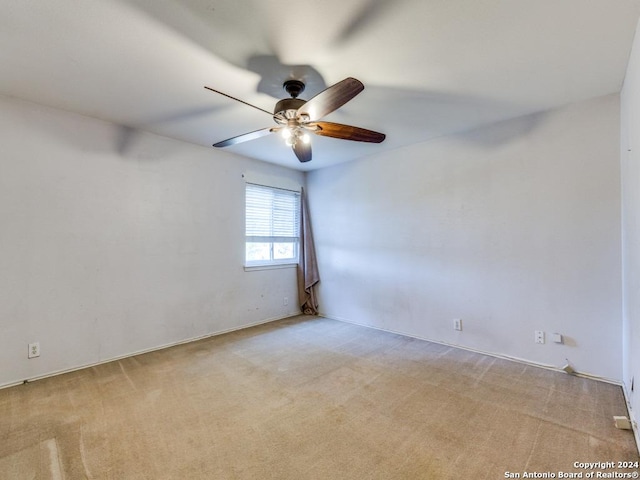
113 242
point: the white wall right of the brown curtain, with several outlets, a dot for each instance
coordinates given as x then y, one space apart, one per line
513 228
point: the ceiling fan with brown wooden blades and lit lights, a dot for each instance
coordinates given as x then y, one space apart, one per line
296 118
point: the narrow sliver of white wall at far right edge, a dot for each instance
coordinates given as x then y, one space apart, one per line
630 162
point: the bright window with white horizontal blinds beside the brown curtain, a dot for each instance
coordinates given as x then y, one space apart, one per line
272 226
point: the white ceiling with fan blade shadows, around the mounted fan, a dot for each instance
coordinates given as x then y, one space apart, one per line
430 67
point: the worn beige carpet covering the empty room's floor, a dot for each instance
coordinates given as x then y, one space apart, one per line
309 398
